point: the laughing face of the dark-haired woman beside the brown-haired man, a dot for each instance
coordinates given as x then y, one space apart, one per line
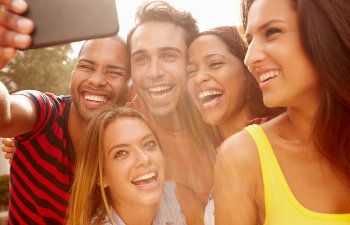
216 79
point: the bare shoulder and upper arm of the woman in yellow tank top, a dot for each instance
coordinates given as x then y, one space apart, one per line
236 173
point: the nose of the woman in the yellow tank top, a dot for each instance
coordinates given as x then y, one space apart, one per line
255 55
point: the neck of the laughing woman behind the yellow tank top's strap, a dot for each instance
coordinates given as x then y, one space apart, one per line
235 123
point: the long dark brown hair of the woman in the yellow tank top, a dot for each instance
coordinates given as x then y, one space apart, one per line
325 35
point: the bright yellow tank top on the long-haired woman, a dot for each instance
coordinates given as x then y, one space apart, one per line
281 207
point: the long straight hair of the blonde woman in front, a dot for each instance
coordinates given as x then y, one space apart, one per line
89 202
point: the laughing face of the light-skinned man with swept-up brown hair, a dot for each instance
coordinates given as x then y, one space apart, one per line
158 66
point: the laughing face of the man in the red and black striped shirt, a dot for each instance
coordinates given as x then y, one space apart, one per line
101 76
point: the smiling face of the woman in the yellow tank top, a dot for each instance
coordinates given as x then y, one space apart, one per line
276 57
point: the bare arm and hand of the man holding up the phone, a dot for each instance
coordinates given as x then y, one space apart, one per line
17 113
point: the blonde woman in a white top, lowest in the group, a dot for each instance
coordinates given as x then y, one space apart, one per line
119 178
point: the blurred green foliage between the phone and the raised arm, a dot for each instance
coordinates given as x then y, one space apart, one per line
46 69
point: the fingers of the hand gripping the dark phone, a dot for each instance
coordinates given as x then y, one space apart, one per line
14 29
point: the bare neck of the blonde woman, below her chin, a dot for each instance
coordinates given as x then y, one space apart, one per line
145 213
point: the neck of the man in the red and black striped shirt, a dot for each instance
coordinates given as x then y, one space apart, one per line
75 126
